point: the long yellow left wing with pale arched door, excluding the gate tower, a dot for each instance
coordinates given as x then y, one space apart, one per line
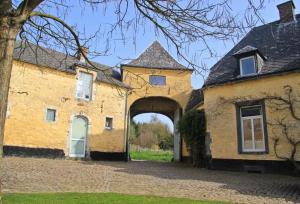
61 107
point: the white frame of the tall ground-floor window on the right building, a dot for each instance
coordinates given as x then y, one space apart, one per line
252 129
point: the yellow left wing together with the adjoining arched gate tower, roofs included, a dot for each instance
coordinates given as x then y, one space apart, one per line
65 107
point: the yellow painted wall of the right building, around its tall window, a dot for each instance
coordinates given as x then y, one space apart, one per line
221 114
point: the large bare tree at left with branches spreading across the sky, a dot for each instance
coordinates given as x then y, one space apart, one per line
180 22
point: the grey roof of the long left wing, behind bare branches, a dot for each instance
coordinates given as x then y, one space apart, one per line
46 57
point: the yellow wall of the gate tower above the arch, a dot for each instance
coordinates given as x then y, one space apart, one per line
178 86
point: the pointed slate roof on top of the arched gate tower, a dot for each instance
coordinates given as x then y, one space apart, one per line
157 57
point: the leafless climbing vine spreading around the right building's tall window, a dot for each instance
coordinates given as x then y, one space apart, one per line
283 118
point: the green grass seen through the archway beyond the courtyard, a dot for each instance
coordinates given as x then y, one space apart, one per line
152 155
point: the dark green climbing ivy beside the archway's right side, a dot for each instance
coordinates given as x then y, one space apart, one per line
192 127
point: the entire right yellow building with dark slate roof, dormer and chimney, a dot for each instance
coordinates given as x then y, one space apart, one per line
251 97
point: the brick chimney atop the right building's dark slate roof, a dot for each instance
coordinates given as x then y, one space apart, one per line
286 11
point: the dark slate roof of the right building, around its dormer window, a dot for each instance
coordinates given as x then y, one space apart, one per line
279 43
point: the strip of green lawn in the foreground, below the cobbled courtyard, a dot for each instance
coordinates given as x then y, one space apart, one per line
93 198
